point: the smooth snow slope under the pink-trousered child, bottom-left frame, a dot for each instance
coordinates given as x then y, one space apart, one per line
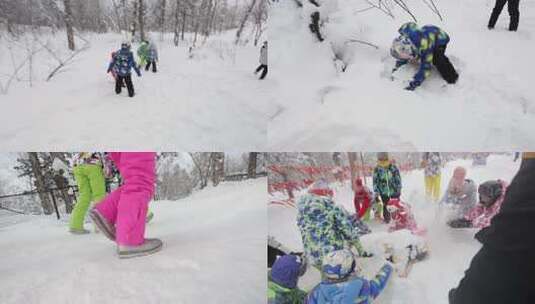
214 252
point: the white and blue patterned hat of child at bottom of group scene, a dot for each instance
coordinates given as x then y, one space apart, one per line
338 264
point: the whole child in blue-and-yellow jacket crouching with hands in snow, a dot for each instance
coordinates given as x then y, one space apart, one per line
426 45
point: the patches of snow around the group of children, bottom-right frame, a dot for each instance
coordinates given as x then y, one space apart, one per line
450 250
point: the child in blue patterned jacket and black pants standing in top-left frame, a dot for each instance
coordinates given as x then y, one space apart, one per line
122 63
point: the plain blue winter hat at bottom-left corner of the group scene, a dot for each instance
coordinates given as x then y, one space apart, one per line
285 271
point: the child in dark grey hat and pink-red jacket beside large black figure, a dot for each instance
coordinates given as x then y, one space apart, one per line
491 195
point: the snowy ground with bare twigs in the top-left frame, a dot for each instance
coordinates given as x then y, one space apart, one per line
208 103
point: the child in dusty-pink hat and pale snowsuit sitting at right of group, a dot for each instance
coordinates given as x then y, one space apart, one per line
461 194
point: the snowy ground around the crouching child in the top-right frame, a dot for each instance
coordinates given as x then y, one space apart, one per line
492 107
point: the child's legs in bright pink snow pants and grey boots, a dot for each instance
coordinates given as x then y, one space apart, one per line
121 215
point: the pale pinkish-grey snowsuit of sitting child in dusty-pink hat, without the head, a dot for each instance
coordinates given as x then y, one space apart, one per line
464 200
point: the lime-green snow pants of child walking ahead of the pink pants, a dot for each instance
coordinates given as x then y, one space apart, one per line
89 177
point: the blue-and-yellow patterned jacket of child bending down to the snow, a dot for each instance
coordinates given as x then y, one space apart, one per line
426 40
